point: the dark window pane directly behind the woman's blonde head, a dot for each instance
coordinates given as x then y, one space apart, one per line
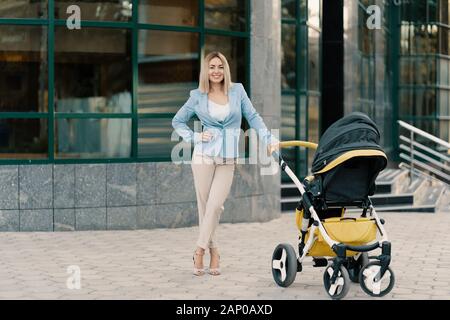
235 50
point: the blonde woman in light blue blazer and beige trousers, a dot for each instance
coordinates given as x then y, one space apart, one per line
219 104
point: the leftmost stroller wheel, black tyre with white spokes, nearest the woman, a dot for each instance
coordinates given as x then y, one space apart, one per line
284 265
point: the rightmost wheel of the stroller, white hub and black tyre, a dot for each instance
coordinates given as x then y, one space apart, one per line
376 287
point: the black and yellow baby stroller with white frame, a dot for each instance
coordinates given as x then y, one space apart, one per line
347 161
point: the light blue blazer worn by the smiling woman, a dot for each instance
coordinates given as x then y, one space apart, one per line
225 133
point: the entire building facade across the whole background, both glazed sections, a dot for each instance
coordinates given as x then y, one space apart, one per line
85 114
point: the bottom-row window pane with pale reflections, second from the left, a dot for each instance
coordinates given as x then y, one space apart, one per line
93 138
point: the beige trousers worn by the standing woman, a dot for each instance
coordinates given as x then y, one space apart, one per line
212 178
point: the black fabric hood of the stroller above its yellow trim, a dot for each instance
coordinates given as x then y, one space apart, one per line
353 132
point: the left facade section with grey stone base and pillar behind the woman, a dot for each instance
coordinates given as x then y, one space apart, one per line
86 113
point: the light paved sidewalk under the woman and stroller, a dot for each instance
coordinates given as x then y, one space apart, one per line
157 264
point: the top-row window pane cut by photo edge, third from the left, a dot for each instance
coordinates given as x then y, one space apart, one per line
169 12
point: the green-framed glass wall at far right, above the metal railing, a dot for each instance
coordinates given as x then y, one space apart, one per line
427 16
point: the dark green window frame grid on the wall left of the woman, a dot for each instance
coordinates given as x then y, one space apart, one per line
134 26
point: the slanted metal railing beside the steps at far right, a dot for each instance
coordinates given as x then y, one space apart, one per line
434 162
